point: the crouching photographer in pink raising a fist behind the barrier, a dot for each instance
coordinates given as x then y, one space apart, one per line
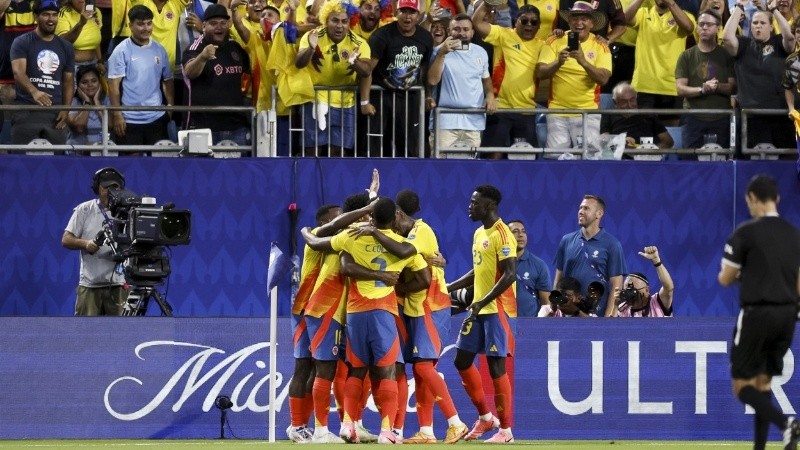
635 299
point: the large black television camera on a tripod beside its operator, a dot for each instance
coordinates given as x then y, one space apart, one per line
139 234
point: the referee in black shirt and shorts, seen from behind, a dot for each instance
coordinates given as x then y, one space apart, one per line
764 255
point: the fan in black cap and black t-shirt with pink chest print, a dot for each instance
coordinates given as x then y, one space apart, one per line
213 67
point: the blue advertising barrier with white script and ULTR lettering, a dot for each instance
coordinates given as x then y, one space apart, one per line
77 378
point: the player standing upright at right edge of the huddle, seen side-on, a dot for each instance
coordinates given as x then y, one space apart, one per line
489 328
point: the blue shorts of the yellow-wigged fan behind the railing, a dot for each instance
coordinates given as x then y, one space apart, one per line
339 130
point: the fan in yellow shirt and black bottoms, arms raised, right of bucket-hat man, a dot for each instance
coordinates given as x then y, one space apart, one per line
662 31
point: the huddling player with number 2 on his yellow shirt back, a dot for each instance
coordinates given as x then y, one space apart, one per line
372 340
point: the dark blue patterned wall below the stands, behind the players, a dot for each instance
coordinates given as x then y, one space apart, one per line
240 206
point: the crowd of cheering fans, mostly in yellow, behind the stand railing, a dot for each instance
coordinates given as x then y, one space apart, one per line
393 56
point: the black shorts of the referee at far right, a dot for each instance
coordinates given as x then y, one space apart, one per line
761 338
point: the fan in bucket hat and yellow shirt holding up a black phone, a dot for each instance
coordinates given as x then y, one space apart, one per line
577 76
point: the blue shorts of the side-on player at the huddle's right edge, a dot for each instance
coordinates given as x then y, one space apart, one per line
492 334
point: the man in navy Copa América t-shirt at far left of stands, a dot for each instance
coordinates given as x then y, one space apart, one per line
43 66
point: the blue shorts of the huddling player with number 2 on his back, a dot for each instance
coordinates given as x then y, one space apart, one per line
372 339
